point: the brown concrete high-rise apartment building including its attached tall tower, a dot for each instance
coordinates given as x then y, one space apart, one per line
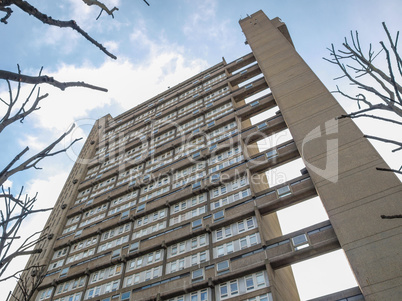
169 200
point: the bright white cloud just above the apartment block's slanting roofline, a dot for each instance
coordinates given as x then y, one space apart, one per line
128 83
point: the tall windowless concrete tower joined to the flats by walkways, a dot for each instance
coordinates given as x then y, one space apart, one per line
357 194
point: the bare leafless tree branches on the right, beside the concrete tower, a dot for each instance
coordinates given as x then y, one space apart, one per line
358 66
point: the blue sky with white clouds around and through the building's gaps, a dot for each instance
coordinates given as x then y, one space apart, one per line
159 46
